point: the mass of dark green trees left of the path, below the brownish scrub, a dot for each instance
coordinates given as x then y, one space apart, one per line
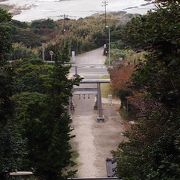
34 120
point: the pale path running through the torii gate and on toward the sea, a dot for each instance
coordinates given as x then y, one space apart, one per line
94 141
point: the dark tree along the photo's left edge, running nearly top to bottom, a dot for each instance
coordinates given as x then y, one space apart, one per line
10 140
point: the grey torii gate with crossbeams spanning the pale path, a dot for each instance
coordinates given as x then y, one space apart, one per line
94 90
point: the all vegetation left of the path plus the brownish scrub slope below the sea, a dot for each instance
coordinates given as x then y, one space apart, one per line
34 96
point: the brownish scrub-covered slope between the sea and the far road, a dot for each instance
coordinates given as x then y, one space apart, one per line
82 34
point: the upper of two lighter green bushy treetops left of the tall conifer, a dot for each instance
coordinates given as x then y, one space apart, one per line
31 76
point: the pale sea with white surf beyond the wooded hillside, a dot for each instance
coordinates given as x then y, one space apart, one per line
40 9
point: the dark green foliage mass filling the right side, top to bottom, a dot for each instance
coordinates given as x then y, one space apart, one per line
153 148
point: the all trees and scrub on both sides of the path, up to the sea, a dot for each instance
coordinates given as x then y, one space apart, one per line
35 124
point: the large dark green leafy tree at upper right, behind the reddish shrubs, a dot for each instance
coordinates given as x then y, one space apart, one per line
158 34
